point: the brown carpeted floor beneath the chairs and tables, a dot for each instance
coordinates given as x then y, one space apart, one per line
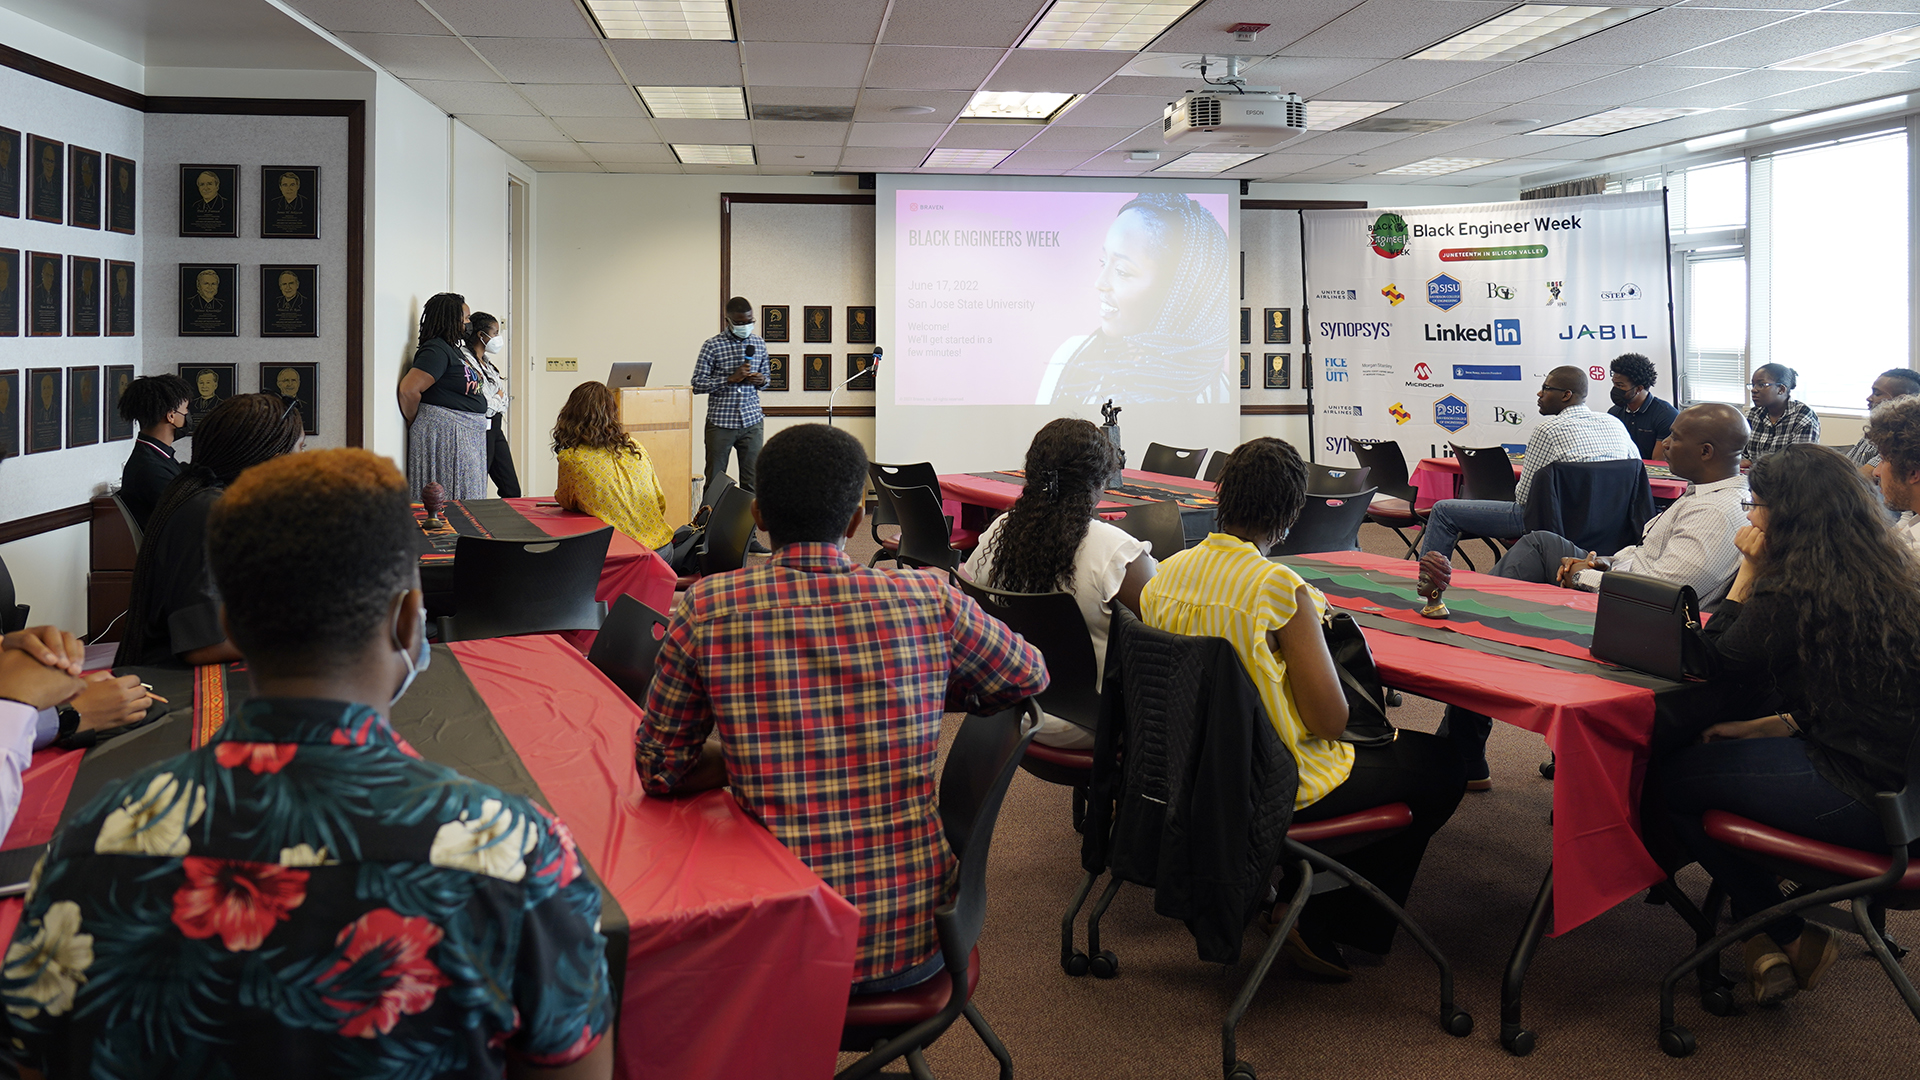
1593 996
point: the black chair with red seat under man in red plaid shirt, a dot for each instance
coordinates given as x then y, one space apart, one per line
980 766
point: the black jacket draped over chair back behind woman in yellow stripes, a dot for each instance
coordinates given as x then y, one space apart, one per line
1193 791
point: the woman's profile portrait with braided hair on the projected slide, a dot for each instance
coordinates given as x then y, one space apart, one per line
1164 312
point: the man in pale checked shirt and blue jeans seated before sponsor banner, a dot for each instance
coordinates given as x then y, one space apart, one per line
1572 433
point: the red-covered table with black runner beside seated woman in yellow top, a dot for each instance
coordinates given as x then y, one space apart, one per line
631 570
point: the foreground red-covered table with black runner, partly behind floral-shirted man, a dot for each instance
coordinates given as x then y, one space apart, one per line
729 956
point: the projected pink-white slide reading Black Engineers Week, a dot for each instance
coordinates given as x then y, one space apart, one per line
1063 299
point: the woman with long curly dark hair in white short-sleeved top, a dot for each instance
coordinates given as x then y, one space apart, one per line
1053 543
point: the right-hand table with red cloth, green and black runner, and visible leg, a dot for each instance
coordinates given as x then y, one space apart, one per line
1520 652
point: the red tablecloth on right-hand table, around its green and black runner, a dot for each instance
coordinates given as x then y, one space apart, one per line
1598 731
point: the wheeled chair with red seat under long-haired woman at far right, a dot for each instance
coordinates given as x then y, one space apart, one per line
1825 873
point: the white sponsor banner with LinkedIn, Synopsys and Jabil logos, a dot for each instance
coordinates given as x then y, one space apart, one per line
1500 295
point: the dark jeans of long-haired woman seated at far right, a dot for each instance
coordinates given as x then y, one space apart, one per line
1773 783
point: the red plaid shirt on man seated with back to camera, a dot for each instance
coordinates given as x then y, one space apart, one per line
827 683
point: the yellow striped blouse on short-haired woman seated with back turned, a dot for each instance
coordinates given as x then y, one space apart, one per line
1224 589
